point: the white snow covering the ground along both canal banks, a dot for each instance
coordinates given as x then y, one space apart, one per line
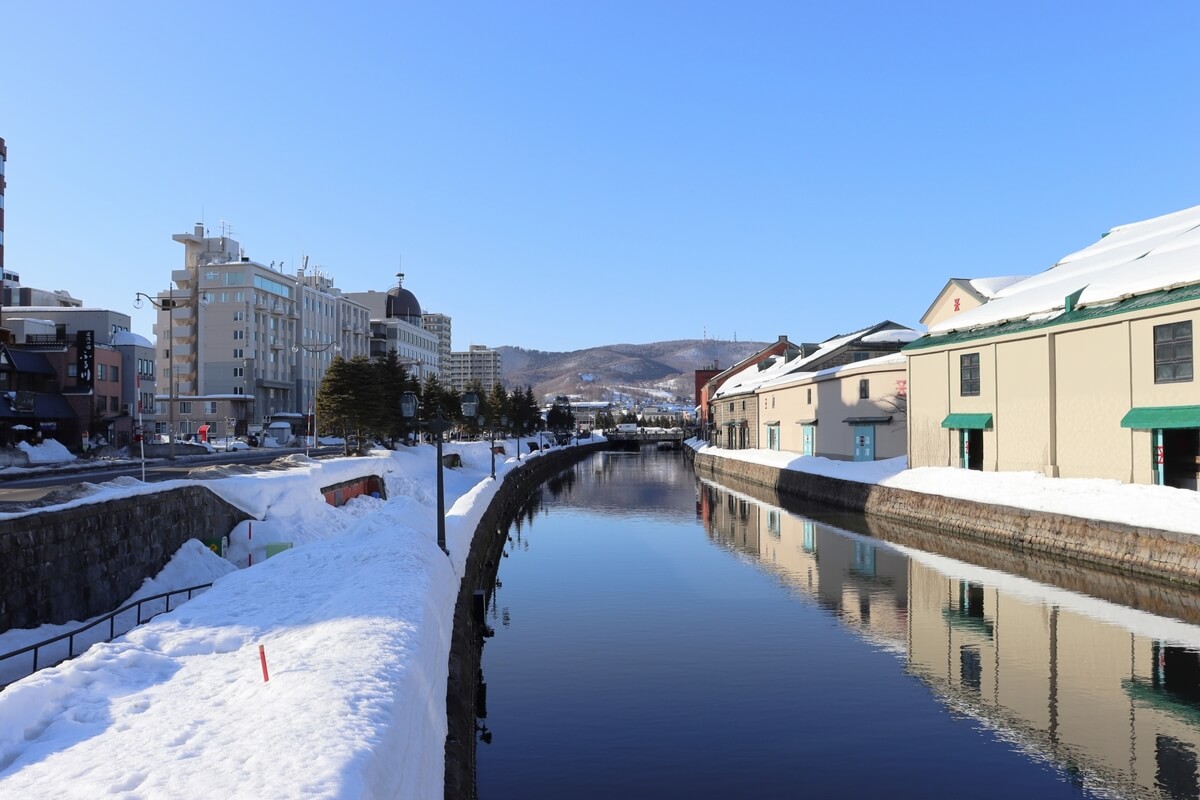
355 624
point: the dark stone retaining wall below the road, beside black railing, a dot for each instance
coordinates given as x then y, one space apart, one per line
73 564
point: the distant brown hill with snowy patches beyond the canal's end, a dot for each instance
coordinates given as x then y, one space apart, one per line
638 372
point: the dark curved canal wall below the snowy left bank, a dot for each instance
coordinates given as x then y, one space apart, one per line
466 694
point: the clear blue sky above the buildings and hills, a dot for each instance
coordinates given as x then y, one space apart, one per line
712 169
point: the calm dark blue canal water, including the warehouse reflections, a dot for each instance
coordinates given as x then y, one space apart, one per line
659 636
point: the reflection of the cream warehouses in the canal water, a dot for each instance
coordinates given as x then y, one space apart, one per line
1108 693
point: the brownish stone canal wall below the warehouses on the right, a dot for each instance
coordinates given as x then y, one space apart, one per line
1147 552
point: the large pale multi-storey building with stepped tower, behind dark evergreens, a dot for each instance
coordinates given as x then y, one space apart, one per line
243 342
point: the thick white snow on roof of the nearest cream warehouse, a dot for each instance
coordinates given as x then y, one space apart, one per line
1131 260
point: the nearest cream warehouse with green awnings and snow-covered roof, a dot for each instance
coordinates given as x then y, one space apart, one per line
1083 371
